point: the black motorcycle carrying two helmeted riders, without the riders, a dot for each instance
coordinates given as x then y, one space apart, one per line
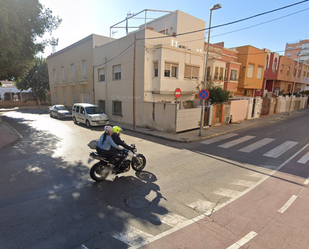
101 170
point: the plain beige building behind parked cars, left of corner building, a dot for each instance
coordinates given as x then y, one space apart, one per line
71 71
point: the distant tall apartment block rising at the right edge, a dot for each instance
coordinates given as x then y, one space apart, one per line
293 49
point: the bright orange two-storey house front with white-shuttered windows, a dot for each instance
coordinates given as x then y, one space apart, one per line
251 72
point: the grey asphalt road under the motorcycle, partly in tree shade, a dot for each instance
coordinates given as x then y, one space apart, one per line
47 199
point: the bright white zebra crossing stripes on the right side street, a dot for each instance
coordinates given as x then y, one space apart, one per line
234 140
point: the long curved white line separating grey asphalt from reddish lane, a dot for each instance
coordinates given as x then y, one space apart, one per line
216 208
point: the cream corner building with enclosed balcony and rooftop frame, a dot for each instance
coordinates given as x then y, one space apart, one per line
163 63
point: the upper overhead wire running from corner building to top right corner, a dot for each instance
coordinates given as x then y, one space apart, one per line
229 23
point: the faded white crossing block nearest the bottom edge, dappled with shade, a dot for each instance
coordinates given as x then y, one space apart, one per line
132 236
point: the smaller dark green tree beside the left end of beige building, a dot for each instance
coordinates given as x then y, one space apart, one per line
36 79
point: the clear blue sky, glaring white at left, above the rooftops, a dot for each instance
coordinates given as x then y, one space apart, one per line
81 18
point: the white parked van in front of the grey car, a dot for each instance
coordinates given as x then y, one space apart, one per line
89 114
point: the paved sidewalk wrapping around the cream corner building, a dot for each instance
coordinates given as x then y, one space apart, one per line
192 136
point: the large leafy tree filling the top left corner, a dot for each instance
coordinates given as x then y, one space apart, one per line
22 23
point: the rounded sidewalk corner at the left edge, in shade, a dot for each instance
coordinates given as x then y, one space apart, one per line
8 135
